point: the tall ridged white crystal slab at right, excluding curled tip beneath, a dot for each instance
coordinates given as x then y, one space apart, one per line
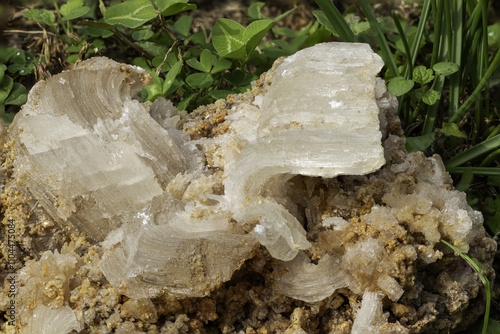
329 130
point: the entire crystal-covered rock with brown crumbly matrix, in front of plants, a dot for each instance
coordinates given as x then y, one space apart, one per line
211 242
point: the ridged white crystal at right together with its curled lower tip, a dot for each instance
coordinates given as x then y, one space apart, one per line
327 131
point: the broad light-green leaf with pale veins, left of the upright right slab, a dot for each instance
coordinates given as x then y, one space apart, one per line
227 39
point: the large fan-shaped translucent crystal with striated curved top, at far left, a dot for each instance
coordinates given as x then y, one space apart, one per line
90 153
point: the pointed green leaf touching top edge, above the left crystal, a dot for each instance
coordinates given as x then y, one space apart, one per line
131 13
